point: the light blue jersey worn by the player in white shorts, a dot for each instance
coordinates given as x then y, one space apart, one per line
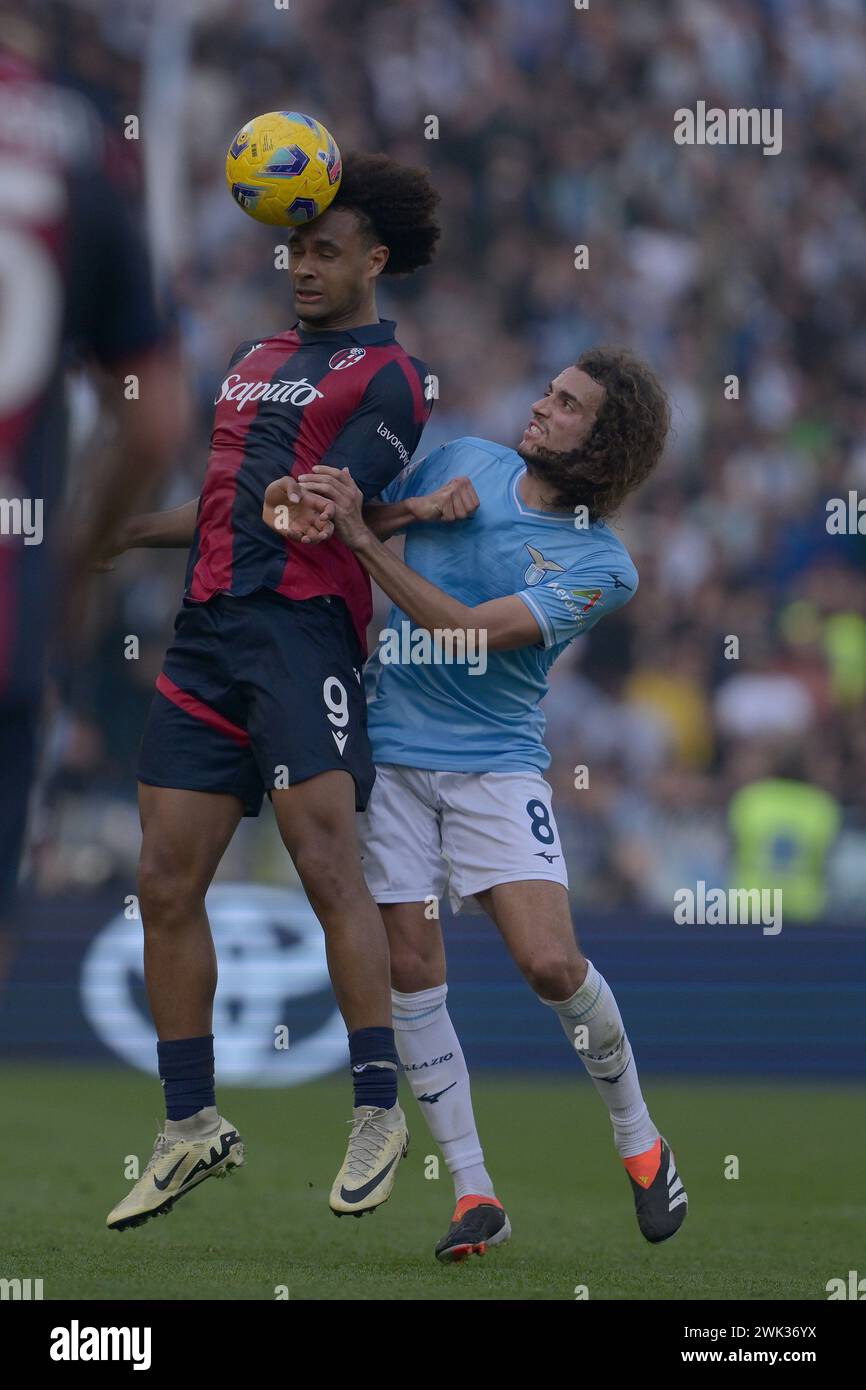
441 717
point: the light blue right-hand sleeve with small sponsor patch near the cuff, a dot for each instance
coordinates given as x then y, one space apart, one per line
568 604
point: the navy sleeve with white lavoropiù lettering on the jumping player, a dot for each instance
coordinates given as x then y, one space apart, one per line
379 440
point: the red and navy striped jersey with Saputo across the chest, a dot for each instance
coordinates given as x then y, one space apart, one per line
352 400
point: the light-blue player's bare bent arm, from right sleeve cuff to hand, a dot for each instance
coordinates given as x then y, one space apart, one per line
508 622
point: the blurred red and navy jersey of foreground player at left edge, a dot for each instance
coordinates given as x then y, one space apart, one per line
74 279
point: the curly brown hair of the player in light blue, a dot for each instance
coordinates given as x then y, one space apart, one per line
626 441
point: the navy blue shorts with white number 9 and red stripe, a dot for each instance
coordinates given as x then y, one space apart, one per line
259 693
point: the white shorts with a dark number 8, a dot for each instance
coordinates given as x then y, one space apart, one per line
427 832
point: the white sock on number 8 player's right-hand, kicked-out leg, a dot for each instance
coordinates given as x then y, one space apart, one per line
607 1054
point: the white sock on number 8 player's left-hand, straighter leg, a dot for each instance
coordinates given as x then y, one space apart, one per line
437 1072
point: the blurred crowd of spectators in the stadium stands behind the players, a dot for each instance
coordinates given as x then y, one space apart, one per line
555 129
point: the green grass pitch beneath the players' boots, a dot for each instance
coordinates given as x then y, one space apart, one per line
792 1221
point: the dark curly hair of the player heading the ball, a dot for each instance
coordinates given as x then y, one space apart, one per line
395 204
